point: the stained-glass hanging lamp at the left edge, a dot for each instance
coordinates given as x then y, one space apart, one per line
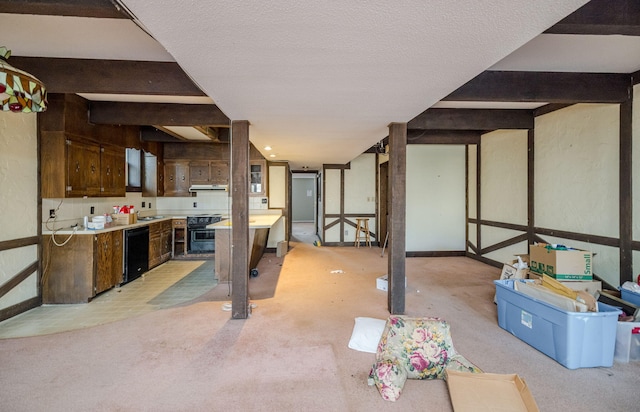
20 92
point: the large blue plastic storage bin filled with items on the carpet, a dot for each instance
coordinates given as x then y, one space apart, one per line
573 339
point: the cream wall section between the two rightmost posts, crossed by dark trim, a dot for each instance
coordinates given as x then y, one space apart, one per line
576 178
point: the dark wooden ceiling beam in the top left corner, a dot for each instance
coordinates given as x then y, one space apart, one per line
79 8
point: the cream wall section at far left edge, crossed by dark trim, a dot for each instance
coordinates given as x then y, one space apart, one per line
18 200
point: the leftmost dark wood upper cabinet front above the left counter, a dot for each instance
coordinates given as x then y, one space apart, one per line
83 169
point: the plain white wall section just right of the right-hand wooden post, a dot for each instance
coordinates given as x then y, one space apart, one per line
435 198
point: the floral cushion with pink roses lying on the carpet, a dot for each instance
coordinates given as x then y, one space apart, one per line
414 348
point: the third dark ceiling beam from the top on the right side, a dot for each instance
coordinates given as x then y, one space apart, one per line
472 119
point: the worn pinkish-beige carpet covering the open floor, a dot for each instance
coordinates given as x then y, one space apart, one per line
291 354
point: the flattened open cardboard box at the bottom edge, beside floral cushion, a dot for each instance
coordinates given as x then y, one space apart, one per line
480 392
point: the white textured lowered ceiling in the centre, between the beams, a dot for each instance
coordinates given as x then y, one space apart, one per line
320 81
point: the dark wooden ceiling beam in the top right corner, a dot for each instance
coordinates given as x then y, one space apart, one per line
602 17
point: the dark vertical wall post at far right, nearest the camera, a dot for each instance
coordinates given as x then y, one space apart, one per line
626 192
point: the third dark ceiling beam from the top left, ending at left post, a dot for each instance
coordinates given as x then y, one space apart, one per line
162 114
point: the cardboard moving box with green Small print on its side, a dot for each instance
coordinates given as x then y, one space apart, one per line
574 264
